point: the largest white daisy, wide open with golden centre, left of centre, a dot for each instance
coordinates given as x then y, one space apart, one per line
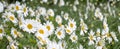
29 25
